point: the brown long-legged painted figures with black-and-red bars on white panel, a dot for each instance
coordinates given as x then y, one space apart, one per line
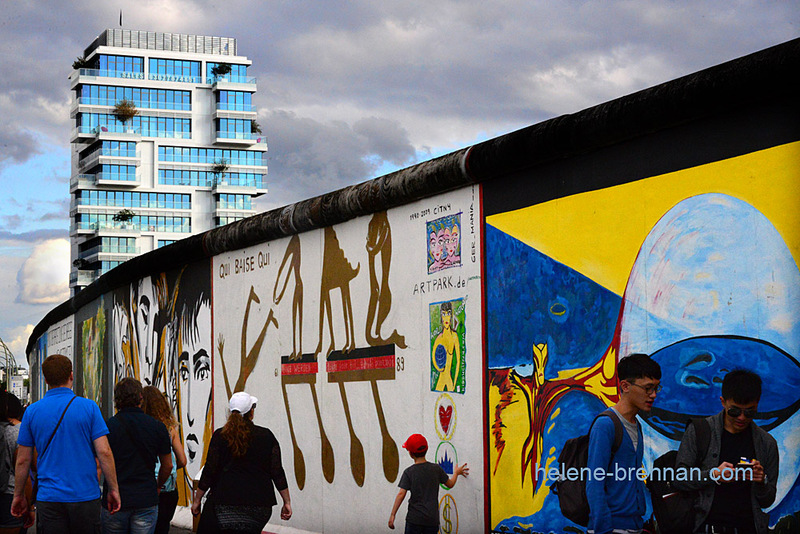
346 359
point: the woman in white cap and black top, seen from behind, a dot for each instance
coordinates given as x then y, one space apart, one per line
243 463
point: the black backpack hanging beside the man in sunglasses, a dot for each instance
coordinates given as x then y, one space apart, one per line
673 509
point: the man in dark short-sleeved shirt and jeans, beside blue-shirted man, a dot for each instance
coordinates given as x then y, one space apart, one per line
137 440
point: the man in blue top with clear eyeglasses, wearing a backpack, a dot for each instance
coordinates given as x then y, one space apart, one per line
617 501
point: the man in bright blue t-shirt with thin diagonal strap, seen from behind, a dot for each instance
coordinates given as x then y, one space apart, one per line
68 498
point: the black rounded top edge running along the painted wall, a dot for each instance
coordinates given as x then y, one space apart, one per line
734 108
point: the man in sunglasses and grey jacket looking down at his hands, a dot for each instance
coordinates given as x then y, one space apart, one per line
739 472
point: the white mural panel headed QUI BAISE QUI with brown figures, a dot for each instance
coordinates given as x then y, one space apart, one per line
343 383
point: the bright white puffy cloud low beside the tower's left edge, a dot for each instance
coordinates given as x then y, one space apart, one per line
44 276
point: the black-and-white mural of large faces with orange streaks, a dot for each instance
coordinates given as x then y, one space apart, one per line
162 336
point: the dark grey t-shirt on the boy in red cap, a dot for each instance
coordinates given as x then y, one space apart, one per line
423 480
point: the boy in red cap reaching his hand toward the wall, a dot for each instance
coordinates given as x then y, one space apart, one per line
422 479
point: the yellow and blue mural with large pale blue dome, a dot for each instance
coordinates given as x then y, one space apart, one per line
689 285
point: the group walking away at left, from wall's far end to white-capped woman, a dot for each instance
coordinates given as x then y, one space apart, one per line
56 452
